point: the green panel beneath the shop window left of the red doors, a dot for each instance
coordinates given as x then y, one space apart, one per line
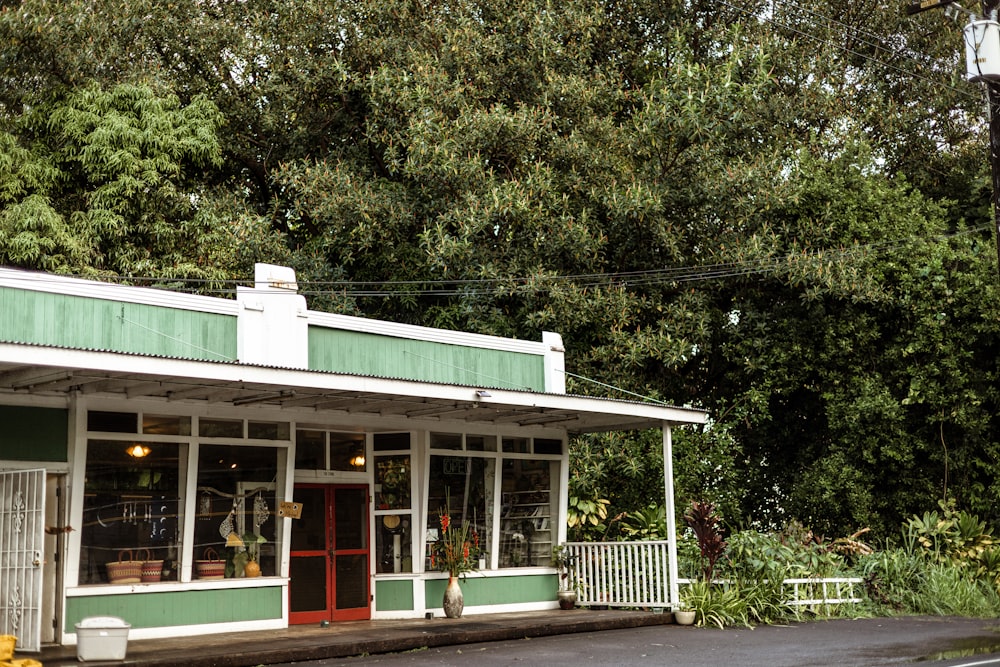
170 608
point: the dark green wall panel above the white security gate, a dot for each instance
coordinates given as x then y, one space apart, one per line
33 434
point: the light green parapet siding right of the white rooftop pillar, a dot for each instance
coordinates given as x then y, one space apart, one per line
386 356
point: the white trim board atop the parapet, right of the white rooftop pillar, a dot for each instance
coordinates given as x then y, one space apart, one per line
414 332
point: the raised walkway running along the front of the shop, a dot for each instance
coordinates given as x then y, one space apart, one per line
340 640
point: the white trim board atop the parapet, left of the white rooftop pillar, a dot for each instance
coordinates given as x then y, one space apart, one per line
54 284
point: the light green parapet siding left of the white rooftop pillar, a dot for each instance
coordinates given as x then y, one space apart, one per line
86 323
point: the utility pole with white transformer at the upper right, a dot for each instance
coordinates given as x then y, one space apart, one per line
982 68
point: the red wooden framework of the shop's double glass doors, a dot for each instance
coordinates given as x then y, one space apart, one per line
330 554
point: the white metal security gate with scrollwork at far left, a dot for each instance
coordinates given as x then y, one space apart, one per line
22 539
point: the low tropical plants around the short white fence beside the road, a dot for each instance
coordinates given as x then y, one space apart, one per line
946 565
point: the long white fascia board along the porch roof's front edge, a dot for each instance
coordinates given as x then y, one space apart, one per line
284 378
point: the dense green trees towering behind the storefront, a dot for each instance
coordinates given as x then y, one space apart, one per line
774 211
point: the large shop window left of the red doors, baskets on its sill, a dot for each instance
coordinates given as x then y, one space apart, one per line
138 468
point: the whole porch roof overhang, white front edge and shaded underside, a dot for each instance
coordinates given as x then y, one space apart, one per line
43 370
